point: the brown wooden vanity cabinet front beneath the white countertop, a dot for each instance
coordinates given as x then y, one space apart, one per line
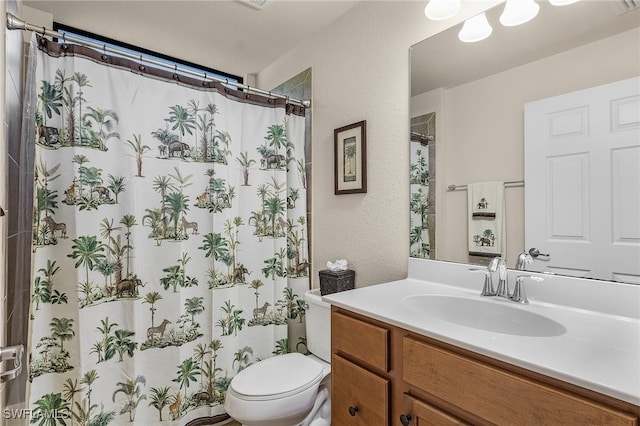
384 375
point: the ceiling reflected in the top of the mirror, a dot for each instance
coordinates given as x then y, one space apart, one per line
444 61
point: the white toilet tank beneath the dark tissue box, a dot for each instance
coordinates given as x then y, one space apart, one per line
318 325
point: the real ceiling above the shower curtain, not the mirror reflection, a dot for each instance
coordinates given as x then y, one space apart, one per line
235 37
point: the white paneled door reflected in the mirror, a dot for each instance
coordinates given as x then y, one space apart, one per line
582 182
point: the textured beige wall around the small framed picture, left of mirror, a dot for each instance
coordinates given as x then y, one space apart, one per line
361 72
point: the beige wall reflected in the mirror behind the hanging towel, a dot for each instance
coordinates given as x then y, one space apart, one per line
480 136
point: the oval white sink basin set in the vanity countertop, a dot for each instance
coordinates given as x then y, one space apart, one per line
485 315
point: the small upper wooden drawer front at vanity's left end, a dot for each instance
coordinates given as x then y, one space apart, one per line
362 340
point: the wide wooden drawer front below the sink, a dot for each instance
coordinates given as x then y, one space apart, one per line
499 396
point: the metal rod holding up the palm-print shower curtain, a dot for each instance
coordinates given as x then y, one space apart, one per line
15 23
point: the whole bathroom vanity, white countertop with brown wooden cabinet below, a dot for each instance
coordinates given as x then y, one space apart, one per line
395 363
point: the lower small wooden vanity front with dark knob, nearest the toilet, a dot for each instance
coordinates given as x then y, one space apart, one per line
358 396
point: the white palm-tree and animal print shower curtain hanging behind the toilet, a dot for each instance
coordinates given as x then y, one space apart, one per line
170 238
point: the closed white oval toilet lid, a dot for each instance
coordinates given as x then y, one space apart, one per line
277 377
